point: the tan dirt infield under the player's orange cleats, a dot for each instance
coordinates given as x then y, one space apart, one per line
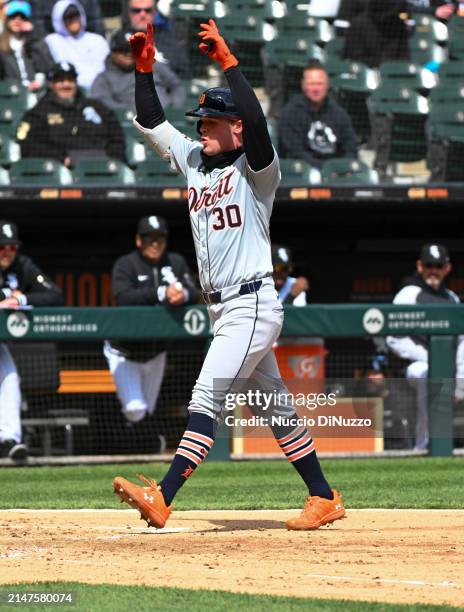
393 556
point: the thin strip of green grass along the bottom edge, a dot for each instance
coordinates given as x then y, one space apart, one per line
111 598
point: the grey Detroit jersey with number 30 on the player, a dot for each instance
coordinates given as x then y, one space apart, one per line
229 211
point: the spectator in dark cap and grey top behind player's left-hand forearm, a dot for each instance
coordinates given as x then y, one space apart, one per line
116 84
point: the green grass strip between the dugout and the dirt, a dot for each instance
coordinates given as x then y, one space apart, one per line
365 483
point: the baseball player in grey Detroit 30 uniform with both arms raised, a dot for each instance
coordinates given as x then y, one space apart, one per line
232 176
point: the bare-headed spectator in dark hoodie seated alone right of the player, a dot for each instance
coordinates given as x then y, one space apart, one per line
313 126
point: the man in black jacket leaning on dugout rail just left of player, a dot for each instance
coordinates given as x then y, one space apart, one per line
145 277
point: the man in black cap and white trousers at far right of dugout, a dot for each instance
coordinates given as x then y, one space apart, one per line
426 286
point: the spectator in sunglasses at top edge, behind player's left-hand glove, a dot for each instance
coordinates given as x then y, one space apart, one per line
169 49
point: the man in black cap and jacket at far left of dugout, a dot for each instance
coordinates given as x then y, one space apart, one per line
22 284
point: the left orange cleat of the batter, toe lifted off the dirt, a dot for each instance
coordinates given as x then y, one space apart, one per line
149 500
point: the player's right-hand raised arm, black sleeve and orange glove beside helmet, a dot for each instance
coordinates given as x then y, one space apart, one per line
256 140
